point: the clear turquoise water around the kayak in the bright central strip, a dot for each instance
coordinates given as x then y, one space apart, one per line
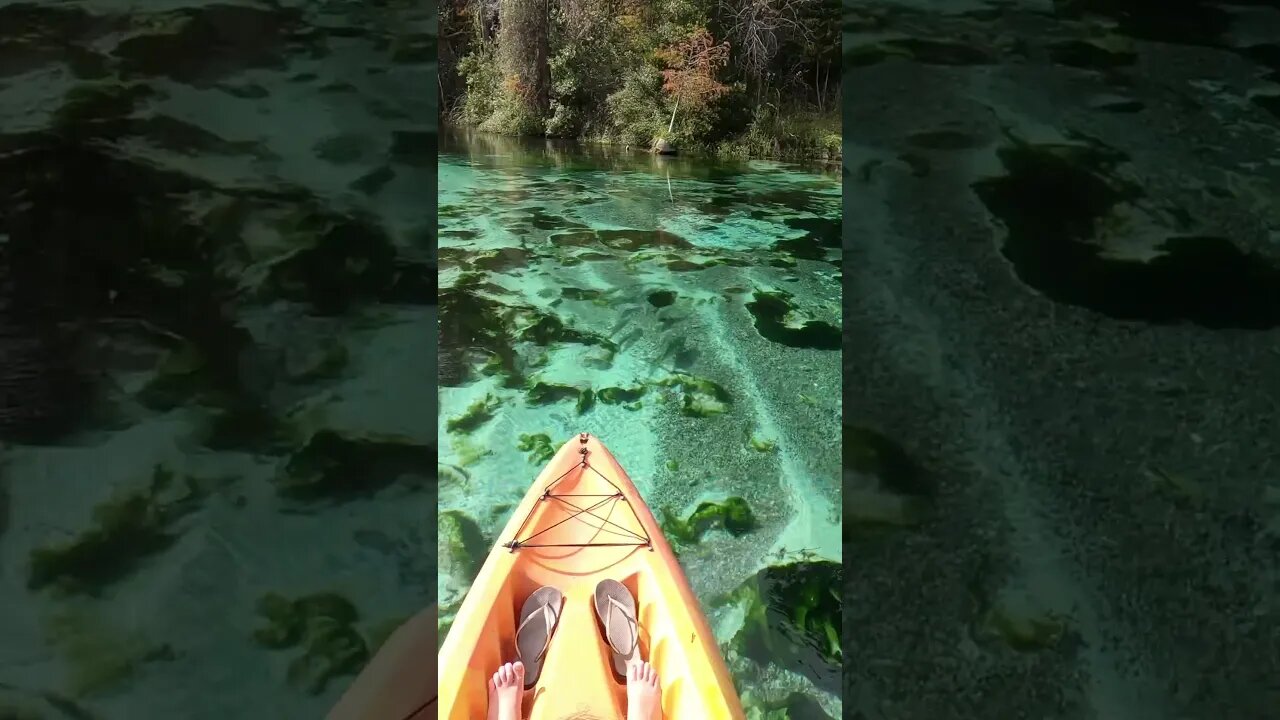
685 312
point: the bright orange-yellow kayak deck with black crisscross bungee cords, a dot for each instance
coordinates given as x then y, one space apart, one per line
583 522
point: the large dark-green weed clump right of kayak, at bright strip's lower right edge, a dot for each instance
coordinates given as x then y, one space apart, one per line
793 619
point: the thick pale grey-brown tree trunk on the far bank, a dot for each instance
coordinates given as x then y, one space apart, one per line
523 53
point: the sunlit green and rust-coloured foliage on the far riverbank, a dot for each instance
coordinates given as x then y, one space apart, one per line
606 66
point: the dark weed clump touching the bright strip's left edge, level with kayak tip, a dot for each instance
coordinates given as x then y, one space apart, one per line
339 466
